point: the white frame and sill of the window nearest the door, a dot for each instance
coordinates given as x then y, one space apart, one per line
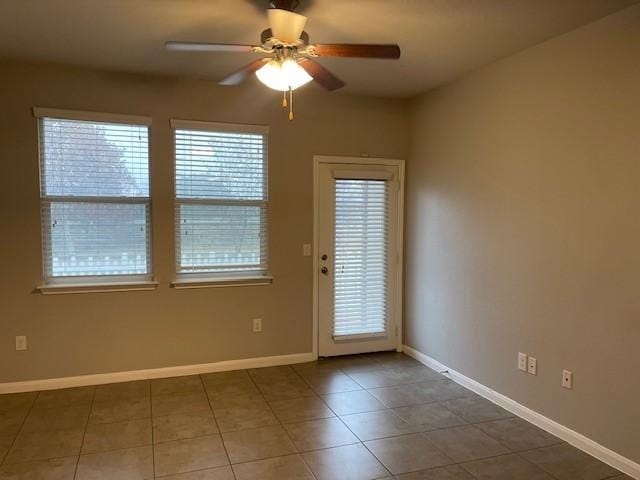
232 277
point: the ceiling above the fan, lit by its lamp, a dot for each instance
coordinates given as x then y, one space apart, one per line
440 39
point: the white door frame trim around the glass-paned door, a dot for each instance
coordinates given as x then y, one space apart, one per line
397 314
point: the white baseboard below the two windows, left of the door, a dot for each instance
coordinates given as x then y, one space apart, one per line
182 370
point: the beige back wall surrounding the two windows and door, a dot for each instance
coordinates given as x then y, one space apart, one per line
94 333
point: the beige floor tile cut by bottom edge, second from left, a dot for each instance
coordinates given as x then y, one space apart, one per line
127 464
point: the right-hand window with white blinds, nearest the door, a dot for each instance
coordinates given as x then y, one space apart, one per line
221 200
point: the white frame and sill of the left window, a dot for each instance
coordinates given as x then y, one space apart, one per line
93 283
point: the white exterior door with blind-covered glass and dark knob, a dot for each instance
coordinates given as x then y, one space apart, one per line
358 257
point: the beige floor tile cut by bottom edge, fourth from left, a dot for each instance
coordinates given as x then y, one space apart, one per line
291 467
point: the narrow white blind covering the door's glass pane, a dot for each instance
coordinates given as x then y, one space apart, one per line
361 257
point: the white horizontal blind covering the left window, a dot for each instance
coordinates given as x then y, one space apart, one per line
94 179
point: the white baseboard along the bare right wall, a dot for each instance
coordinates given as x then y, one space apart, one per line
576 439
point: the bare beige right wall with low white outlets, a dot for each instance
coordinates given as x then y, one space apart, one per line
523 227
